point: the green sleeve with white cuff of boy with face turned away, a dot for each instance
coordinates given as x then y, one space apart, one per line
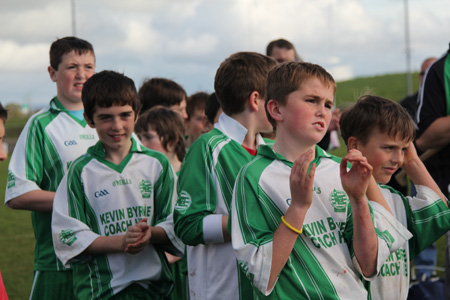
197 196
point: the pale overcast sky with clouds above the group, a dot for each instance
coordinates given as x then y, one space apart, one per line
186 40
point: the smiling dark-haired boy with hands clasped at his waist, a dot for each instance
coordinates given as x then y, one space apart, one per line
108 197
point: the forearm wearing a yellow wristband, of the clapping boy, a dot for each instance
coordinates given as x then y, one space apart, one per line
284 240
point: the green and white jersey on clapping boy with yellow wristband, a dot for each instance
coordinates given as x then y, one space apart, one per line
322 264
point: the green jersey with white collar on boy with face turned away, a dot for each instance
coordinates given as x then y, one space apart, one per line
205 186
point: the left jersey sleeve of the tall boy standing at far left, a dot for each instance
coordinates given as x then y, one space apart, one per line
25 169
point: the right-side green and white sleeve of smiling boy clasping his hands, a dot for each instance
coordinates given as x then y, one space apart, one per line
165 199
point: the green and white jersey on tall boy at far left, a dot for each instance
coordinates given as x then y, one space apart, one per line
48 144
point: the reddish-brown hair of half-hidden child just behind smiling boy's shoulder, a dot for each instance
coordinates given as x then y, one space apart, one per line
168 124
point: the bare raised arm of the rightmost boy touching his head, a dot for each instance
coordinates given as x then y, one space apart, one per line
417 171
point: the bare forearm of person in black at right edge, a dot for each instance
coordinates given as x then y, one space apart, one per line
436 135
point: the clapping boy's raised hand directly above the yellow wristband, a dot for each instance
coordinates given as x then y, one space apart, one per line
301 183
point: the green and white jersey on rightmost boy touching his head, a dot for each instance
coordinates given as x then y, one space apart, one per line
427 218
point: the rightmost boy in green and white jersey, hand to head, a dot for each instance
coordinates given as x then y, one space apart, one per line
383 131
